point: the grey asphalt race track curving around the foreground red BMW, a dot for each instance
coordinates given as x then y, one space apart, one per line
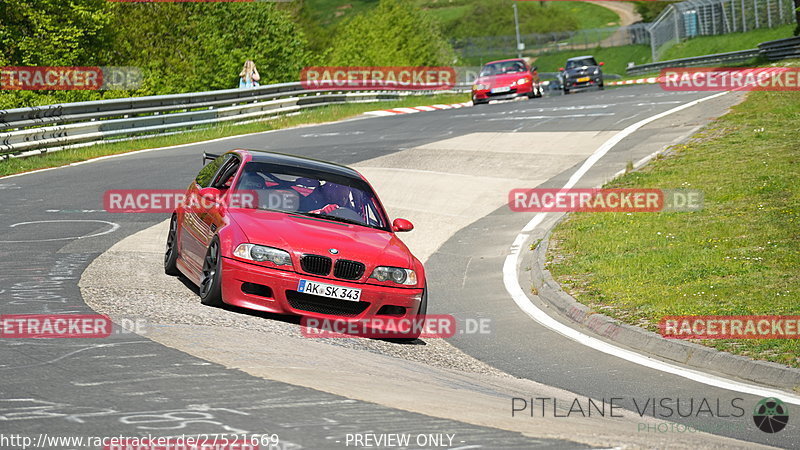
448 172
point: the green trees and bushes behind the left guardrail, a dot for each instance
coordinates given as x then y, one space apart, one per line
188 47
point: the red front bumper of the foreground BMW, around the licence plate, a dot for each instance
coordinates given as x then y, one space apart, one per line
261 288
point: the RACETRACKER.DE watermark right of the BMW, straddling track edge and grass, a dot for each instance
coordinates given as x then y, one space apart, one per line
605 200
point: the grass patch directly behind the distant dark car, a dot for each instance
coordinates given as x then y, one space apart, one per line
615 58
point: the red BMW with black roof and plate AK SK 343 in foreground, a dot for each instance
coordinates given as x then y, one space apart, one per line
292 235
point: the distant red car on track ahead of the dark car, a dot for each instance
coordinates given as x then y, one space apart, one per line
505 80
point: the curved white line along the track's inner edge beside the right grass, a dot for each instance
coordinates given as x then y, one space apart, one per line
511 282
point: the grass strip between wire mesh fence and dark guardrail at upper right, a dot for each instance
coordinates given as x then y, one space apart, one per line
707 45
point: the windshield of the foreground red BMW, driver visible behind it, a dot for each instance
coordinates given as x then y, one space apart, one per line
309 192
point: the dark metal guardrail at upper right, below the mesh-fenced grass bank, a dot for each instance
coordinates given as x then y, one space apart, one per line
772 50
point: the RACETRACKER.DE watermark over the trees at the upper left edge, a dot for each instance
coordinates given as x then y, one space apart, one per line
69 78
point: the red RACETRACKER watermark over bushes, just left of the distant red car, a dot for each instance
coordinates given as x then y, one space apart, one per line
375 77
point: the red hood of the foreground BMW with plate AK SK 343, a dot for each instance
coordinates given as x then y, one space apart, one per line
300 234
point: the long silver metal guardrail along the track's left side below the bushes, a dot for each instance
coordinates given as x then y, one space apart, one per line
35 130
